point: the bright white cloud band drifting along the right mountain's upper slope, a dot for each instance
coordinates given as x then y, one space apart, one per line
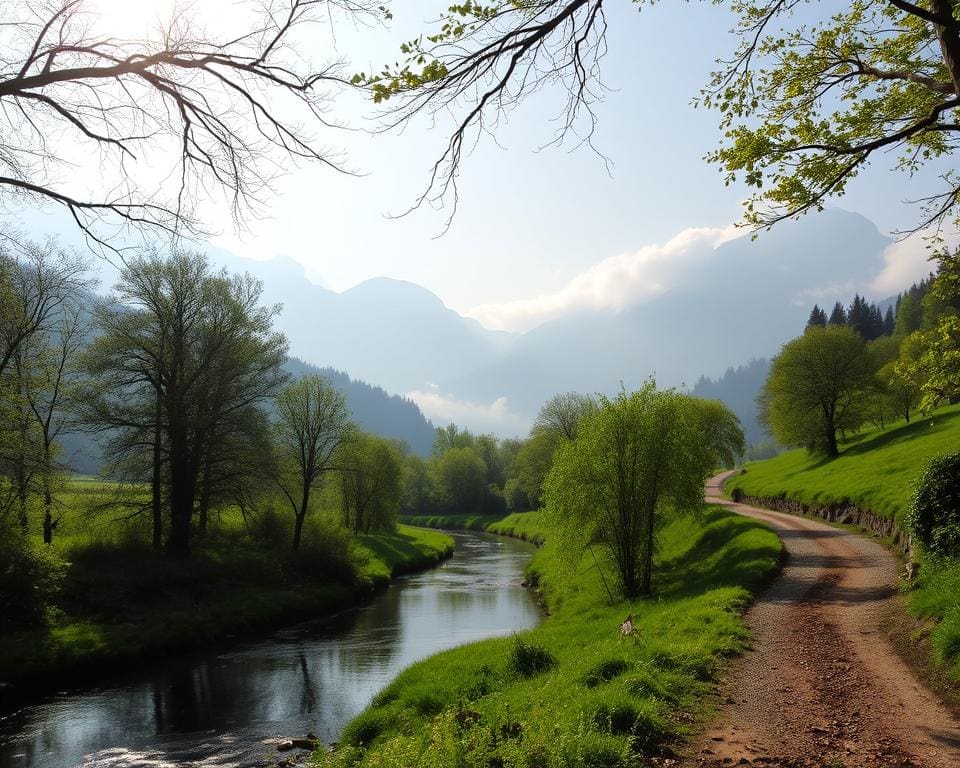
615 283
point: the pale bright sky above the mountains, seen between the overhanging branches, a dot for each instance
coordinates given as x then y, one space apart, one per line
538 231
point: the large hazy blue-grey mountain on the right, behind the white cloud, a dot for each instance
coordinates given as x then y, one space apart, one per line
743 302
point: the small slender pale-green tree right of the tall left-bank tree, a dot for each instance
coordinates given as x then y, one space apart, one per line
312 424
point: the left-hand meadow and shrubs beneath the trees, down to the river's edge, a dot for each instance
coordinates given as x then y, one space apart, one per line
121 601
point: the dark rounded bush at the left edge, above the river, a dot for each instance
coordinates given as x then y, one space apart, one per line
30 576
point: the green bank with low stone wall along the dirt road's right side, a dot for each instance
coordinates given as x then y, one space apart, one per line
871 483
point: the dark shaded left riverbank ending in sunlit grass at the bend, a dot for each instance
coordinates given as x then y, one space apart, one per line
124 606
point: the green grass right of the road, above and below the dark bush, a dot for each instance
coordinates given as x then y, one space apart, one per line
879 472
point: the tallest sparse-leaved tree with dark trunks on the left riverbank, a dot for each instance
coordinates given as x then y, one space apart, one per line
181 351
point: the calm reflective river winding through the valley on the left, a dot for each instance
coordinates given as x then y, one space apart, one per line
229 708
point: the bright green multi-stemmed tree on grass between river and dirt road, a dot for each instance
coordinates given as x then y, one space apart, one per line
636 459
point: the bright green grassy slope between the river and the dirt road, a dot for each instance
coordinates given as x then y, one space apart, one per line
608 698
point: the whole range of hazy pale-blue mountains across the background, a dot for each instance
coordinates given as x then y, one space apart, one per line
723 305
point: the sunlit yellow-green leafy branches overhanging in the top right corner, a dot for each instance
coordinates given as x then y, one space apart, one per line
804 106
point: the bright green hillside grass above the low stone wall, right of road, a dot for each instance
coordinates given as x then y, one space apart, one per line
877 470
